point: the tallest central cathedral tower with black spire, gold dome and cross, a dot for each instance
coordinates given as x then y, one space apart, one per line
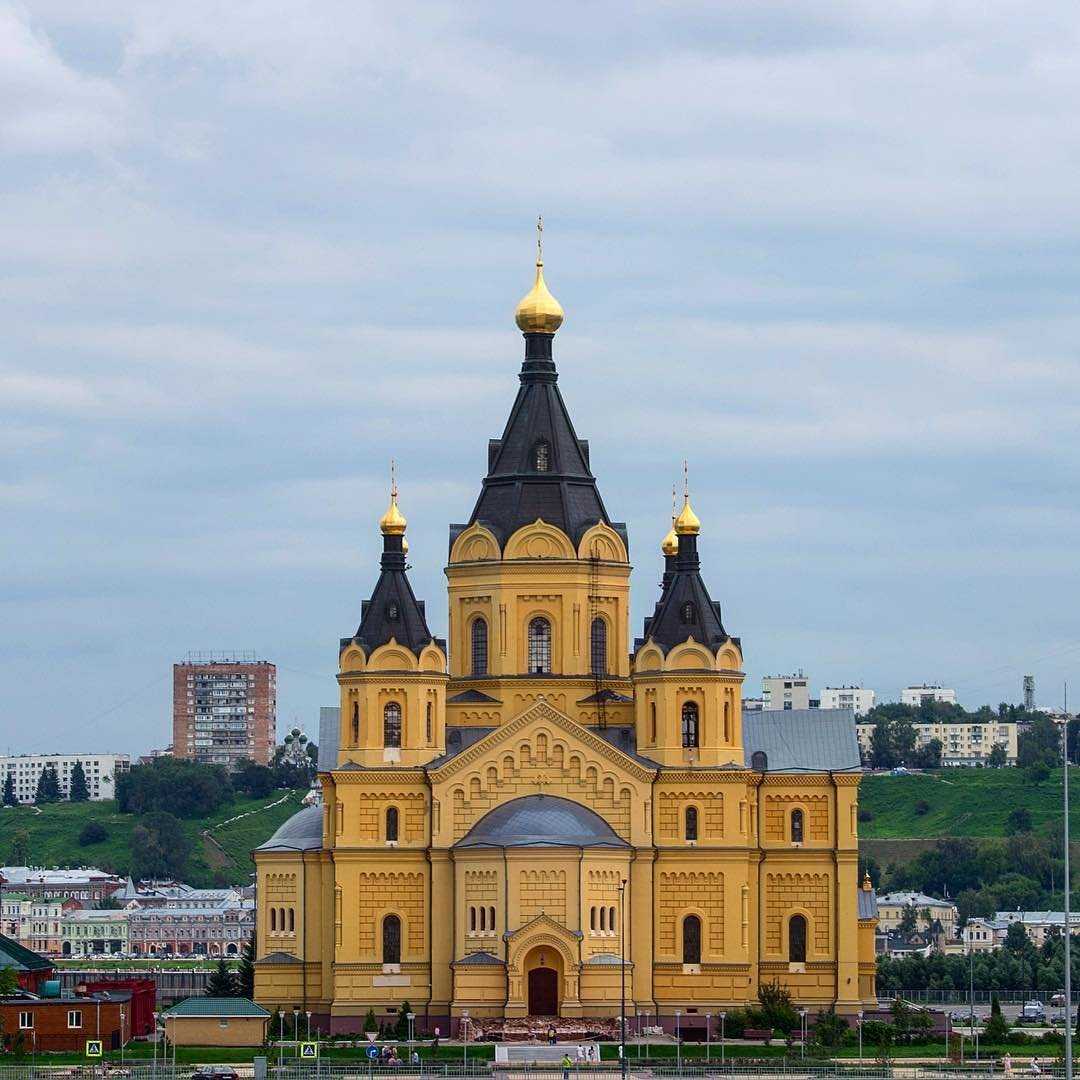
539 577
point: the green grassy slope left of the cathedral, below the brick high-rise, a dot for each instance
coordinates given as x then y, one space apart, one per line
221 853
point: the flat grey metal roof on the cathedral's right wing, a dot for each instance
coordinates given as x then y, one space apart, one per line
803 740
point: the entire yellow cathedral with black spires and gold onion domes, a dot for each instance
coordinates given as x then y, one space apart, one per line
547 814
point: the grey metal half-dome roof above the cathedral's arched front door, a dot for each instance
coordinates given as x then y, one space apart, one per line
542 821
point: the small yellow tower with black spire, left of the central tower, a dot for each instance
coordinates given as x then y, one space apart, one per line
393 672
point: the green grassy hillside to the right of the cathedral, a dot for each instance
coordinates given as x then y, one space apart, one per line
960 803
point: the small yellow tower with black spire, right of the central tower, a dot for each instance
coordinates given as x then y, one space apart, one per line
687 669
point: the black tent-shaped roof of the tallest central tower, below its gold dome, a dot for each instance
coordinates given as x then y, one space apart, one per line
539 468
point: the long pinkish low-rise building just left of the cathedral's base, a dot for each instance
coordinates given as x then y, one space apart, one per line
212 930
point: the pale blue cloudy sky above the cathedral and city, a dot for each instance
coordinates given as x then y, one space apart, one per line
827 252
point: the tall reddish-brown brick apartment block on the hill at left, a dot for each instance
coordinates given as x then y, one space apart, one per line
225 709
